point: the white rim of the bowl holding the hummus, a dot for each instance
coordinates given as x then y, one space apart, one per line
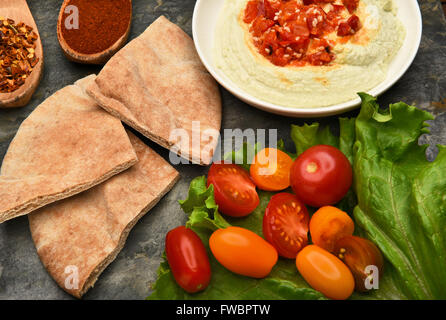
302 112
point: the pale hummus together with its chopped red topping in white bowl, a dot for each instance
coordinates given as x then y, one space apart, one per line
354 60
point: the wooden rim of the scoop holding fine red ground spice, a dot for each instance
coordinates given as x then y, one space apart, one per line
95 58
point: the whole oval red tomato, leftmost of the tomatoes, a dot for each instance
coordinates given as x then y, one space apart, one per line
188 259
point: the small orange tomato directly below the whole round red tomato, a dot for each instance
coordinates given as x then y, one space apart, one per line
328 225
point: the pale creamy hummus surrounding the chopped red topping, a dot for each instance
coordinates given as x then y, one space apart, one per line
361 60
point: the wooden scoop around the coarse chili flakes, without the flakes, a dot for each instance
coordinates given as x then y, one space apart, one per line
18 11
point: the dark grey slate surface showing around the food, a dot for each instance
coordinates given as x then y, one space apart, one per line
129 277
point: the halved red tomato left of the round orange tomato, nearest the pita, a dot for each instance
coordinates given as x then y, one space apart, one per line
234 191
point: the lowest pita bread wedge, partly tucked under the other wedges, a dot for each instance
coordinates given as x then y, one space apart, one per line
84 234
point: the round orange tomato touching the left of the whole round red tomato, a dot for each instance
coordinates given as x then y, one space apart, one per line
271 169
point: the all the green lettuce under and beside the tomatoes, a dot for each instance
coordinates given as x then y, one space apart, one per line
398 201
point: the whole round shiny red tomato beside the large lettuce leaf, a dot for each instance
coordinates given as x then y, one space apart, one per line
321 176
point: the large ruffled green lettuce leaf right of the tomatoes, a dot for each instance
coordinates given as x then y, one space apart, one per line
401 196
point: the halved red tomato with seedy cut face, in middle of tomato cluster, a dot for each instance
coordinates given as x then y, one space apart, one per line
285 224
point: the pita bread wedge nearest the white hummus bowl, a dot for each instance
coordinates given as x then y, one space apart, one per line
158 85
